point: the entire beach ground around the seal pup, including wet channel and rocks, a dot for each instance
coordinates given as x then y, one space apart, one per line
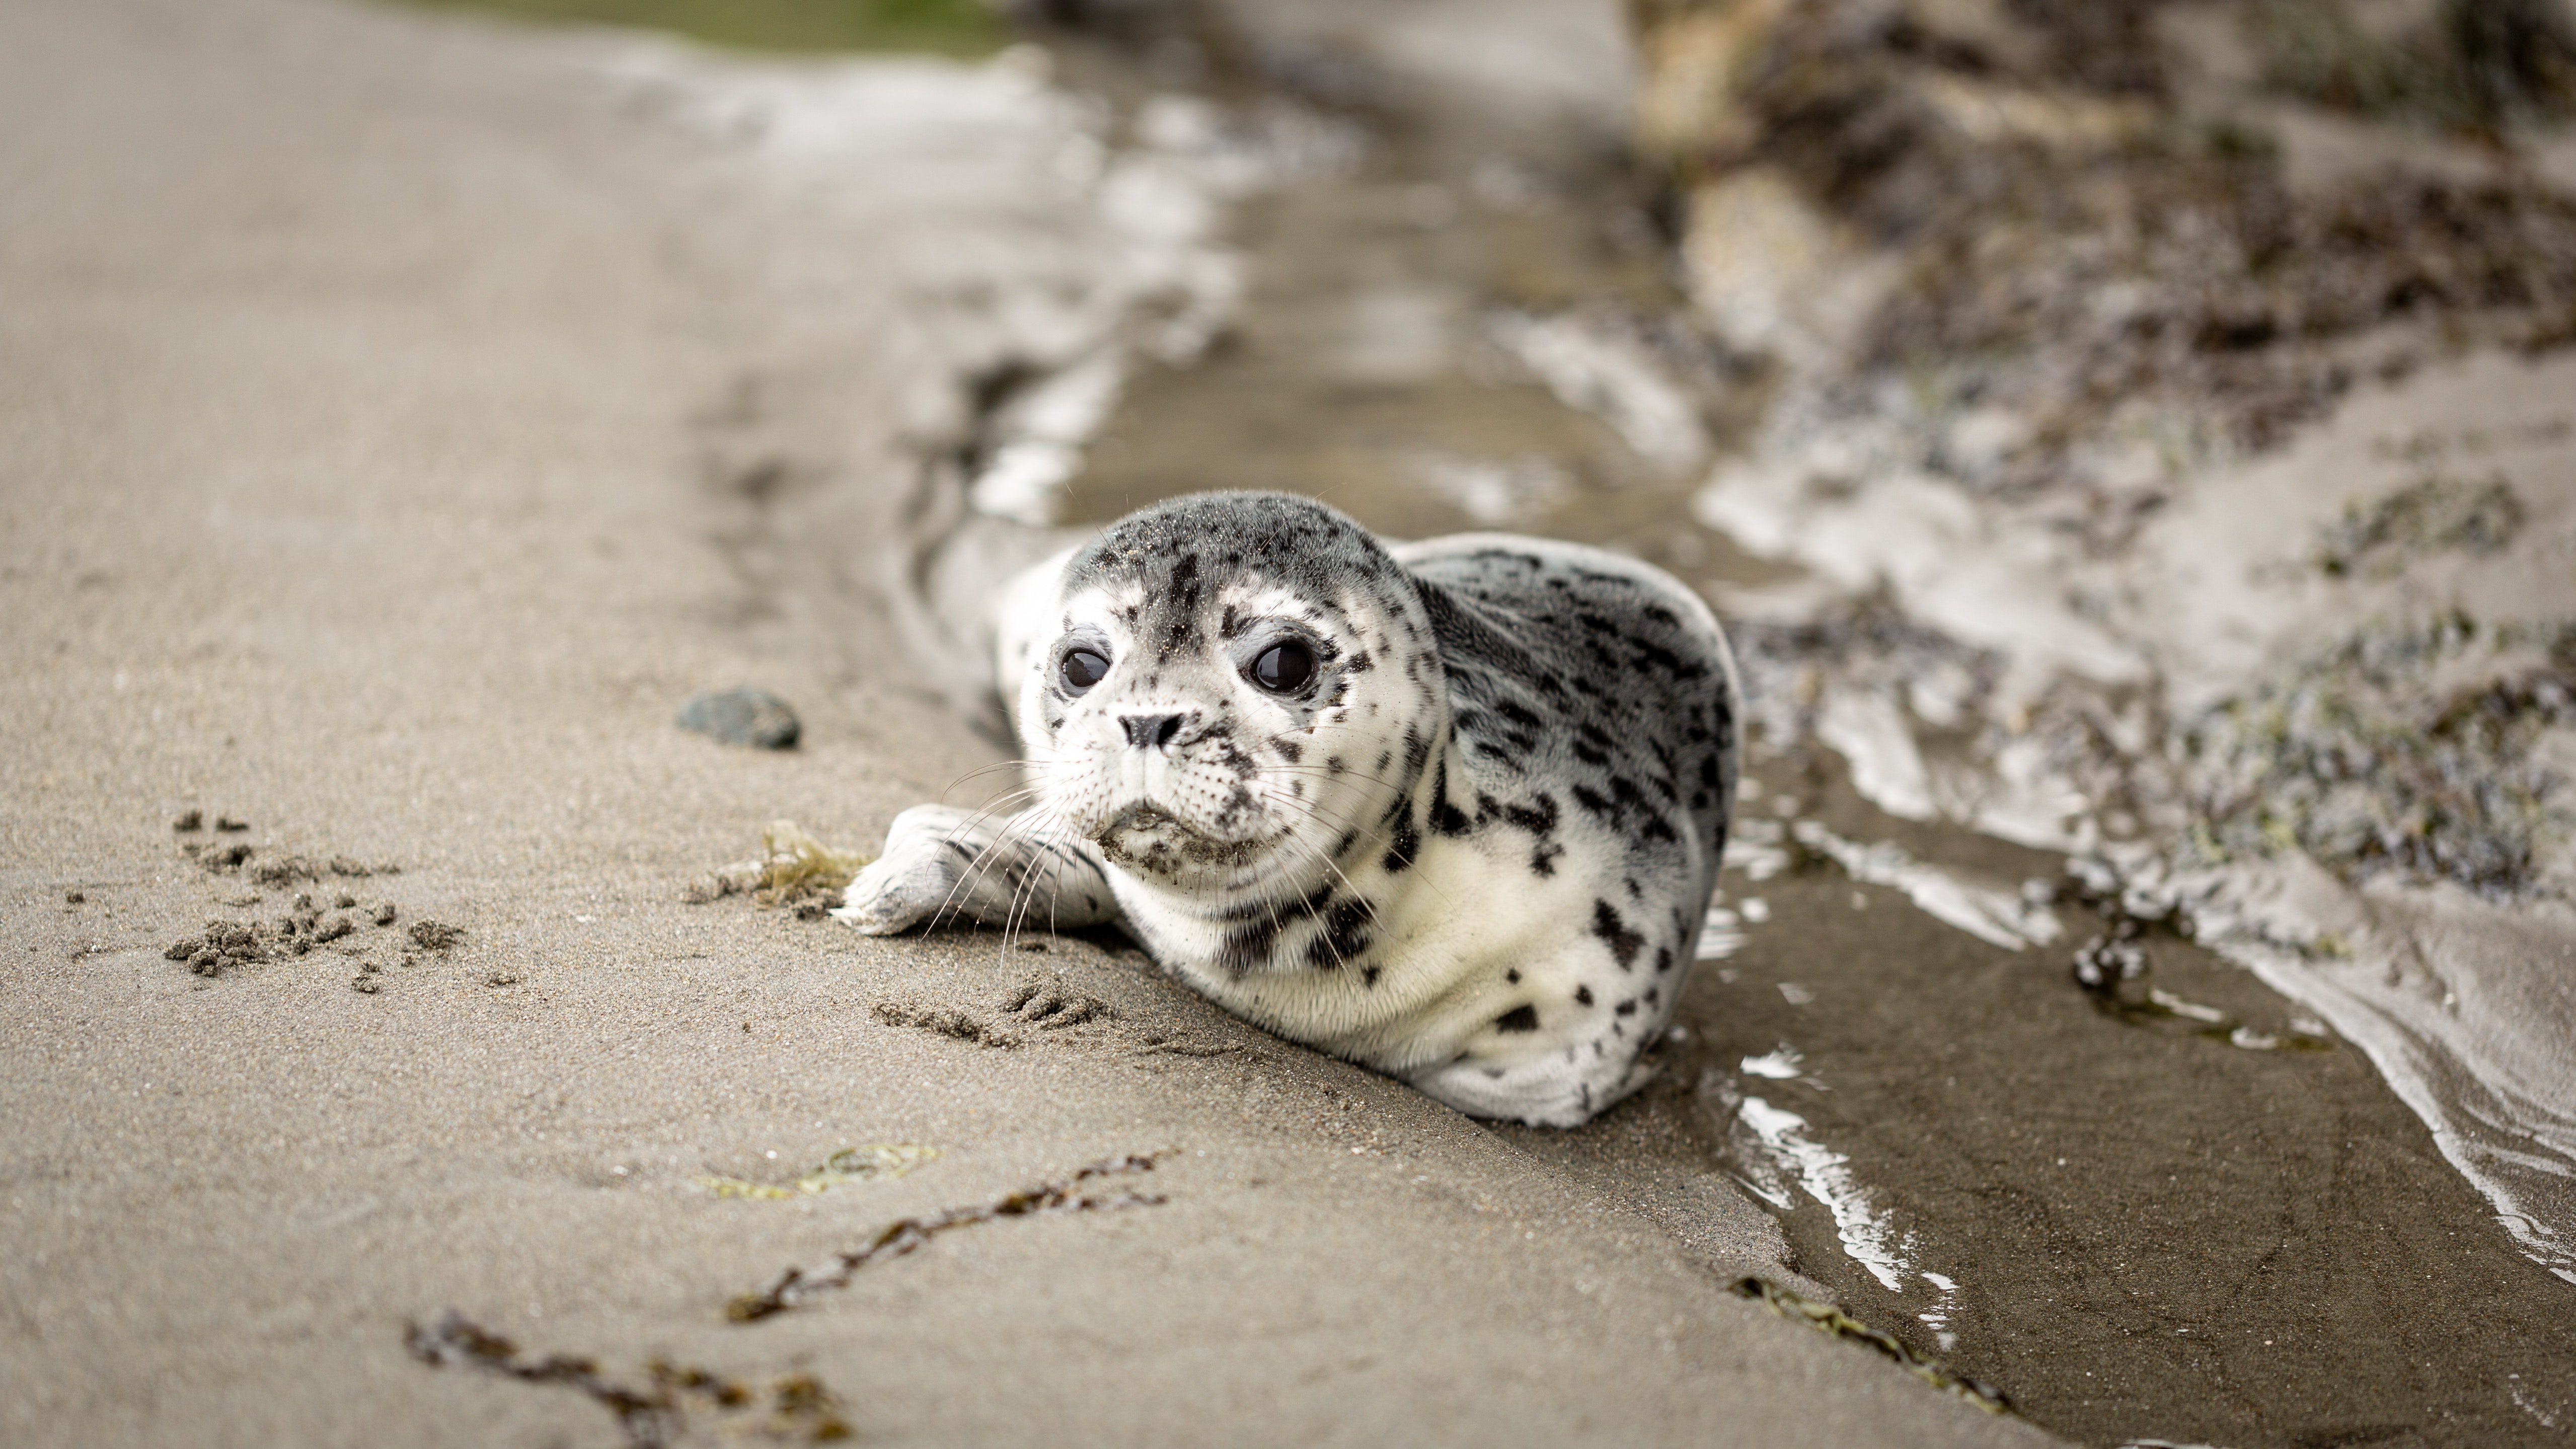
2134 467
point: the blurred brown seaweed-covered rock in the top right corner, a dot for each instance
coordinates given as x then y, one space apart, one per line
2072 251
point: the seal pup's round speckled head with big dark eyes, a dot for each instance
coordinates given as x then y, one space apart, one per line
1238 691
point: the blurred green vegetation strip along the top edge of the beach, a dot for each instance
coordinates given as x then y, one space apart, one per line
942 27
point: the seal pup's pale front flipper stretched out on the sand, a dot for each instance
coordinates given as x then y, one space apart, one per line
993 871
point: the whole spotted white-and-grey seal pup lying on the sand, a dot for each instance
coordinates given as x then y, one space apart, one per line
1446 809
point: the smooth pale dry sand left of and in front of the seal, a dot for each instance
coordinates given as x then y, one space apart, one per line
362 392
